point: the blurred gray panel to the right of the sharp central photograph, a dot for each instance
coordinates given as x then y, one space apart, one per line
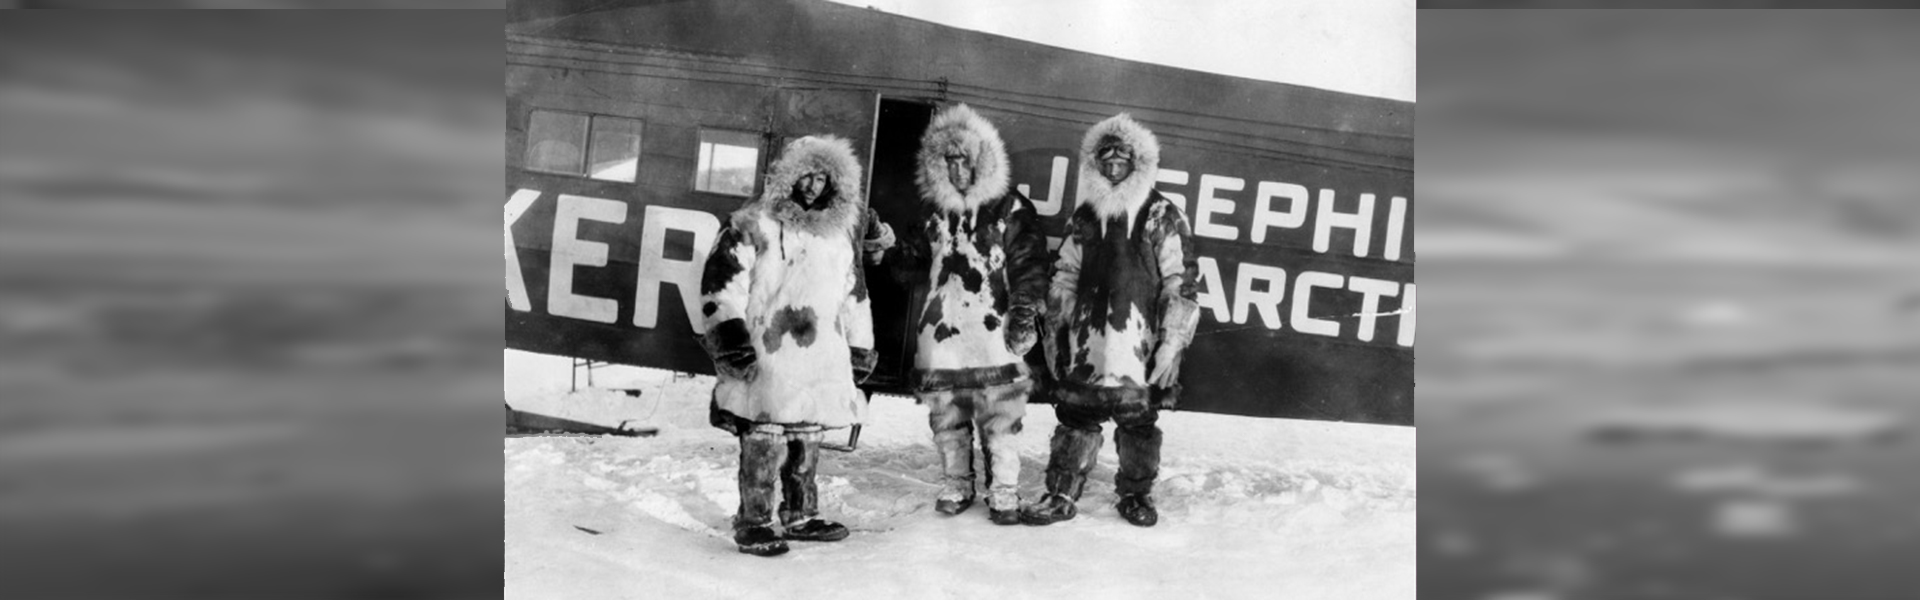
1673 274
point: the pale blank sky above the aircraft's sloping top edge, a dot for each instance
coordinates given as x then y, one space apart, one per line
1362 47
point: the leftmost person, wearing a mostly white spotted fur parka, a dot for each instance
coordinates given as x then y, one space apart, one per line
788 328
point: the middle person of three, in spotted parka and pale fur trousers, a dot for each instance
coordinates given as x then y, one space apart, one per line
986 268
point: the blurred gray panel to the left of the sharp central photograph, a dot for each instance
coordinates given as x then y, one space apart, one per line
251 305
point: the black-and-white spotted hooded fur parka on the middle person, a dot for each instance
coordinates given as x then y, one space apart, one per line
984 259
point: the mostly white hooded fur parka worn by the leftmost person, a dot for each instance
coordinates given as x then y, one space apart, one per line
784 309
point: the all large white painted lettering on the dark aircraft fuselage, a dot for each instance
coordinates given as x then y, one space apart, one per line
1249 293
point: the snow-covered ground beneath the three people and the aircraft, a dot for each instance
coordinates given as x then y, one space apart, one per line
1251 509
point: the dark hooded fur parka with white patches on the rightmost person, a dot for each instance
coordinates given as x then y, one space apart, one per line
1124 284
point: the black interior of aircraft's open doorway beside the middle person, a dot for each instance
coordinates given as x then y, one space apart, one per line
898 201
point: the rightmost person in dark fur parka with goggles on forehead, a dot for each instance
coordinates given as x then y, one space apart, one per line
1122 311
